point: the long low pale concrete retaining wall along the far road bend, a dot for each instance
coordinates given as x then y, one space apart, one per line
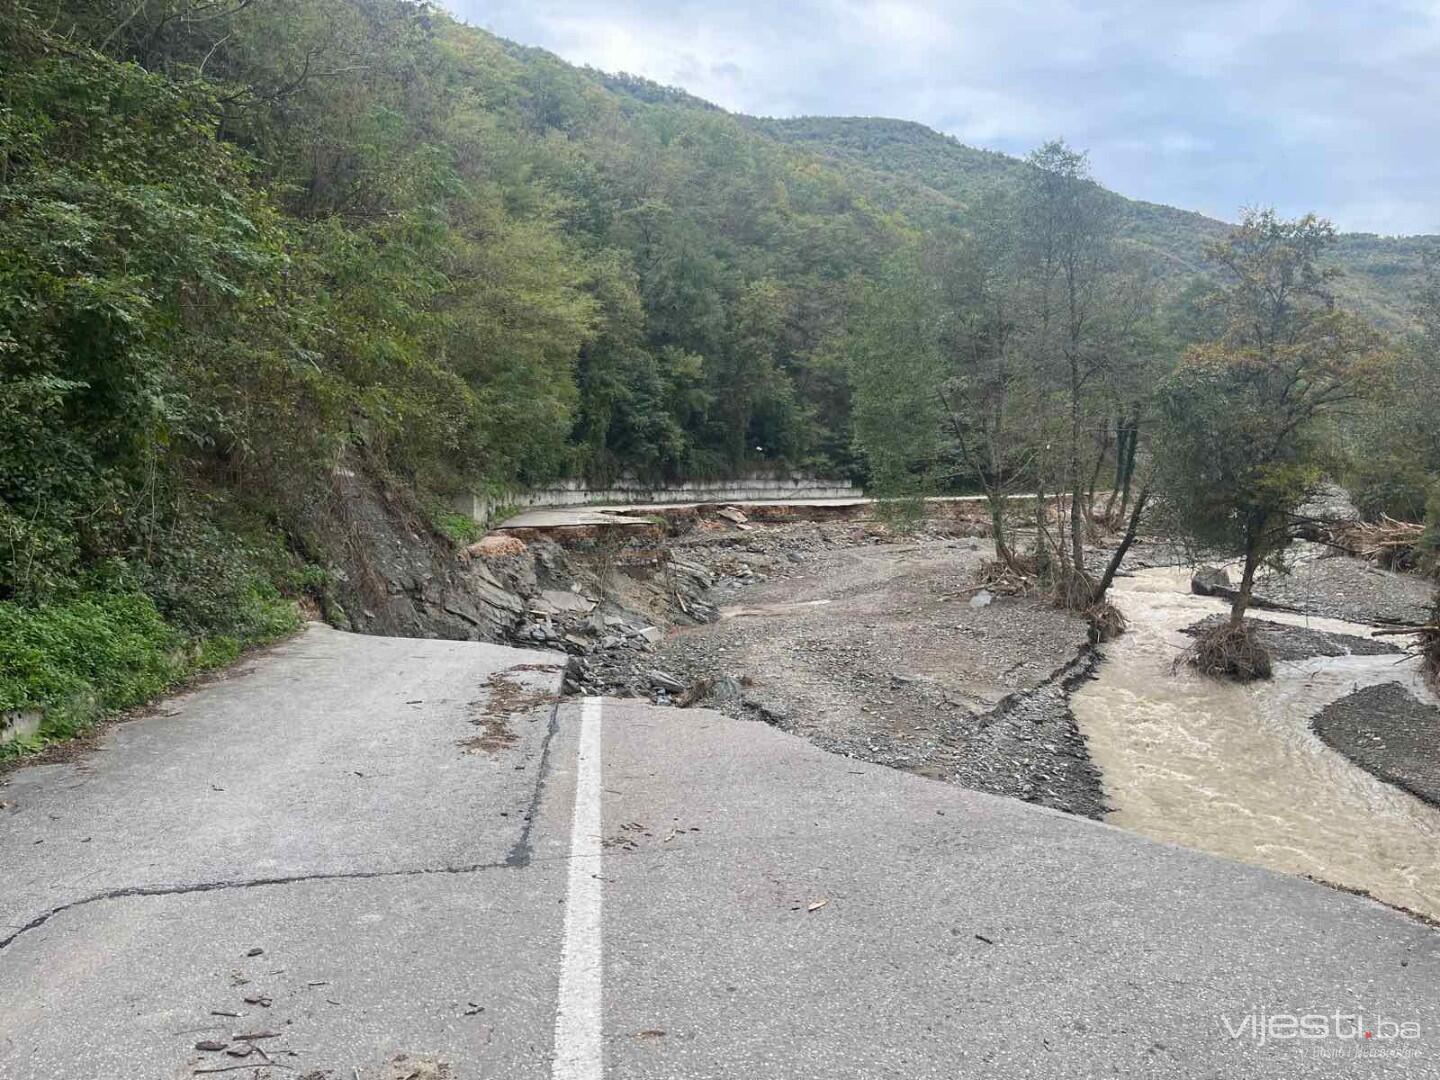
577 493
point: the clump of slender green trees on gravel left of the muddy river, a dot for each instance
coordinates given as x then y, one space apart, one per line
1016 356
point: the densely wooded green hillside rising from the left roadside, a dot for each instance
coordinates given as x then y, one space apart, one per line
251 247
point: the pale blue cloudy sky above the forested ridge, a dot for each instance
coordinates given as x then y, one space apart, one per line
1205 104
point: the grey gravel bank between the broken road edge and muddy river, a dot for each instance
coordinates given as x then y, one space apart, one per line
883 650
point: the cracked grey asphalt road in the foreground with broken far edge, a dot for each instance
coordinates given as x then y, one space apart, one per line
447 876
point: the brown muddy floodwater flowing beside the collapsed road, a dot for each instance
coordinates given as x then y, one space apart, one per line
1236 770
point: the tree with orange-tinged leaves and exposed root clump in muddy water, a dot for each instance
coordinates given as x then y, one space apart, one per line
1241 449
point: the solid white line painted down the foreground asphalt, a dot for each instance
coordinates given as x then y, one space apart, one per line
578 1023
